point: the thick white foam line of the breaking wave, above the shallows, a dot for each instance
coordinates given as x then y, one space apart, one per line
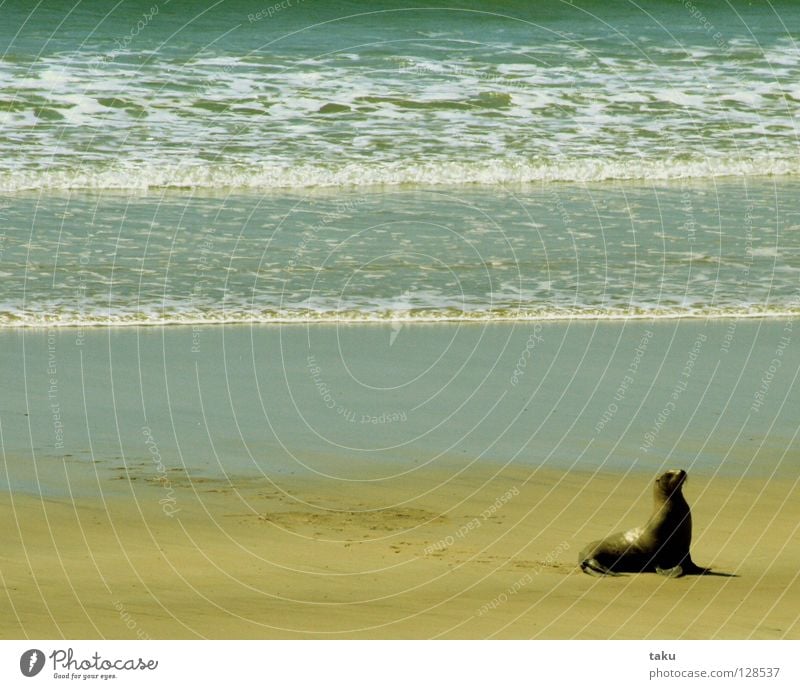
392 174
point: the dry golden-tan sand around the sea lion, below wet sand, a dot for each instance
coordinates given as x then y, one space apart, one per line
317 559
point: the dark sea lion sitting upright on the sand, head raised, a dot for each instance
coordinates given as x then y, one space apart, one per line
662 545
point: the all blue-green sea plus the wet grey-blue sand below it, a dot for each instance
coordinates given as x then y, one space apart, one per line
370 168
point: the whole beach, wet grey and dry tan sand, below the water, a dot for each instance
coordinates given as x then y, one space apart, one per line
199 484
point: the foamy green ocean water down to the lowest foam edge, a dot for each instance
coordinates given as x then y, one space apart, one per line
184 162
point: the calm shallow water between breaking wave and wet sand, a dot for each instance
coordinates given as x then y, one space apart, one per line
615 250
